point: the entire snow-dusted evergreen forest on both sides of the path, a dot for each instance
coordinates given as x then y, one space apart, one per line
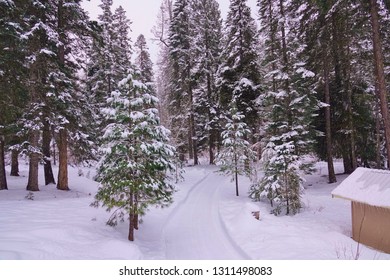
289 82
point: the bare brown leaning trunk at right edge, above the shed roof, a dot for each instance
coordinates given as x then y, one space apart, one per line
380 74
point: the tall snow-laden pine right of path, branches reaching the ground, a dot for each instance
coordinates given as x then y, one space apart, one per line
290 105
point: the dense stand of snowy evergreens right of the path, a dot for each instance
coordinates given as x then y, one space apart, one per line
310 79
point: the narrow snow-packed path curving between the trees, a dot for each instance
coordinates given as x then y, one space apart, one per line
195 229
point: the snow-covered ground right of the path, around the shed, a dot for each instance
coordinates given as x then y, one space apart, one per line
321 231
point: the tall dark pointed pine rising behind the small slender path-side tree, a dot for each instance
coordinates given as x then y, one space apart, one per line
239 73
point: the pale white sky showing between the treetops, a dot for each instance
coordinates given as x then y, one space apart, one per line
143 14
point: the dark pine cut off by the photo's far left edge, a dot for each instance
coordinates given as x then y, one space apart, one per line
12 78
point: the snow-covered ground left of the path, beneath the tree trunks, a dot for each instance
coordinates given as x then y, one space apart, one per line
53 224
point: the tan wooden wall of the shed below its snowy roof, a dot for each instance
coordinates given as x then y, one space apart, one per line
371 226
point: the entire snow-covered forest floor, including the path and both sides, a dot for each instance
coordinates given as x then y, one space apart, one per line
206 221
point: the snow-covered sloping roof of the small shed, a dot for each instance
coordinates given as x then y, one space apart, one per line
370 186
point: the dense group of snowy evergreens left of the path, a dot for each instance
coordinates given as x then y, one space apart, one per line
68 85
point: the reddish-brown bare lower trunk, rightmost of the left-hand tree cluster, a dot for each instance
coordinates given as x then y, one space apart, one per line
63 161
